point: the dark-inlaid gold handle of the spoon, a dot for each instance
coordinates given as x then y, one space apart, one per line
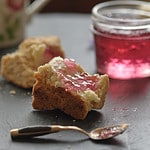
31 131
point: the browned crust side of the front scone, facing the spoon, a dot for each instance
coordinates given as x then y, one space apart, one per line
49 98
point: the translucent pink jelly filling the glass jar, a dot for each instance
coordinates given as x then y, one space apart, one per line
122 56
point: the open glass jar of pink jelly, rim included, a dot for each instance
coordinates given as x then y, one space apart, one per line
121 32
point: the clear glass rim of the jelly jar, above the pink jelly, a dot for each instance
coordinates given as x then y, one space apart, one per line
122 15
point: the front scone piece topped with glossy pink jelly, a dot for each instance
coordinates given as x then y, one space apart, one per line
63 84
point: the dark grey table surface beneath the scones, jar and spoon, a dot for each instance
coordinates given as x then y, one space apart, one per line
126 102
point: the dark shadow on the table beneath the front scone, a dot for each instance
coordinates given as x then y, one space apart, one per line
93 119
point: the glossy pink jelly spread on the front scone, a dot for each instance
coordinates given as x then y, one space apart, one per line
75 79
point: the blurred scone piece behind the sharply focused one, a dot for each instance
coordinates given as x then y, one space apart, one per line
19 66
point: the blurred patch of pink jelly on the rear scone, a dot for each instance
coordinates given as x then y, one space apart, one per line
51 52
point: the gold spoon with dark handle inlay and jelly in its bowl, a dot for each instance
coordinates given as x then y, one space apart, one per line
96 134
